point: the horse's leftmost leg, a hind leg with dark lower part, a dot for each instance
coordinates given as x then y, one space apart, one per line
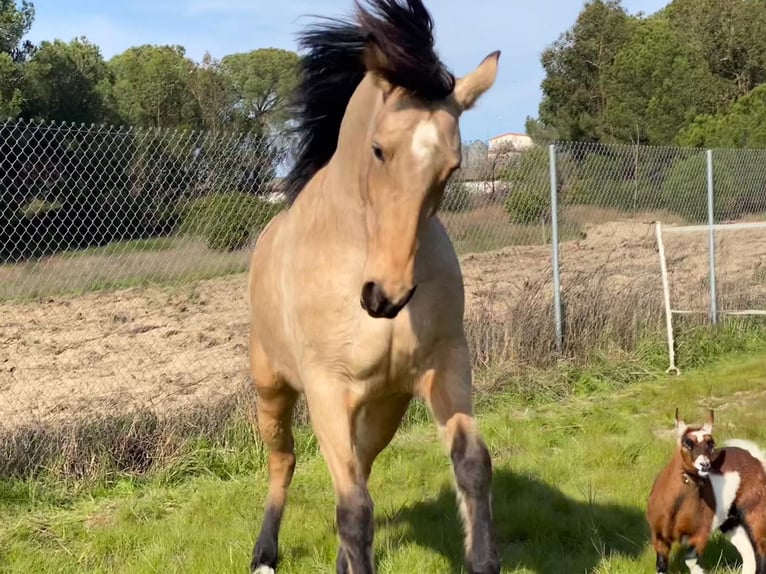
274 409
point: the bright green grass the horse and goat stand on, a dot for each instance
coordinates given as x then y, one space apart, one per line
571 480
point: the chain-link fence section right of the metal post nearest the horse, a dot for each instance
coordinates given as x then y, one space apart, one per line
612 199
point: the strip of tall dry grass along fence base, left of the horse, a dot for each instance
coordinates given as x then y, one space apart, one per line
128 443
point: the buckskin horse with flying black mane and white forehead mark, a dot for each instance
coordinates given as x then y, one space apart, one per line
355 291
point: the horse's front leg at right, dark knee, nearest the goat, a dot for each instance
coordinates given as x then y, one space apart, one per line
446 389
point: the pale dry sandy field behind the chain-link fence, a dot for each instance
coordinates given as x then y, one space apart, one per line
167 341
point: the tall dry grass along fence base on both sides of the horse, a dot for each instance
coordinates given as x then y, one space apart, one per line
610 338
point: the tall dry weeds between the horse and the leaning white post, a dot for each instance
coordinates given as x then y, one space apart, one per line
600 312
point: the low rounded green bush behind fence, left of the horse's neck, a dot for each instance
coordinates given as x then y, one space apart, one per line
227 221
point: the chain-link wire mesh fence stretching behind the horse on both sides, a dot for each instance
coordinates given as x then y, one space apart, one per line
123 255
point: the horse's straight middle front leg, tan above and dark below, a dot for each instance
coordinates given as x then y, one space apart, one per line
331 421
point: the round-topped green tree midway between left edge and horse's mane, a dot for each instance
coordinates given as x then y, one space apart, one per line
152 87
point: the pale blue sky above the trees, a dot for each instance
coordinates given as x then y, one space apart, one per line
464 35
